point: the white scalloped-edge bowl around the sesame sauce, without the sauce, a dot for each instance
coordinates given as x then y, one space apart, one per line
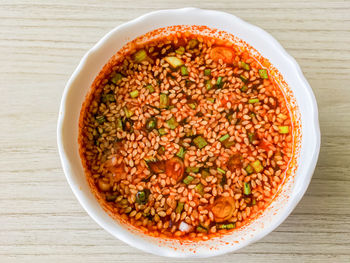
305 109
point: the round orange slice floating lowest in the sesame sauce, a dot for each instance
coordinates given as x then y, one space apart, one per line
223 208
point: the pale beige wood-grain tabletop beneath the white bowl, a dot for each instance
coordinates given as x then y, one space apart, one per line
41 43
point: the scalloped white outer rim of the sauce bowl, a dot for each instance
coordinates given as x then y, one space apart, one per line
123 234
